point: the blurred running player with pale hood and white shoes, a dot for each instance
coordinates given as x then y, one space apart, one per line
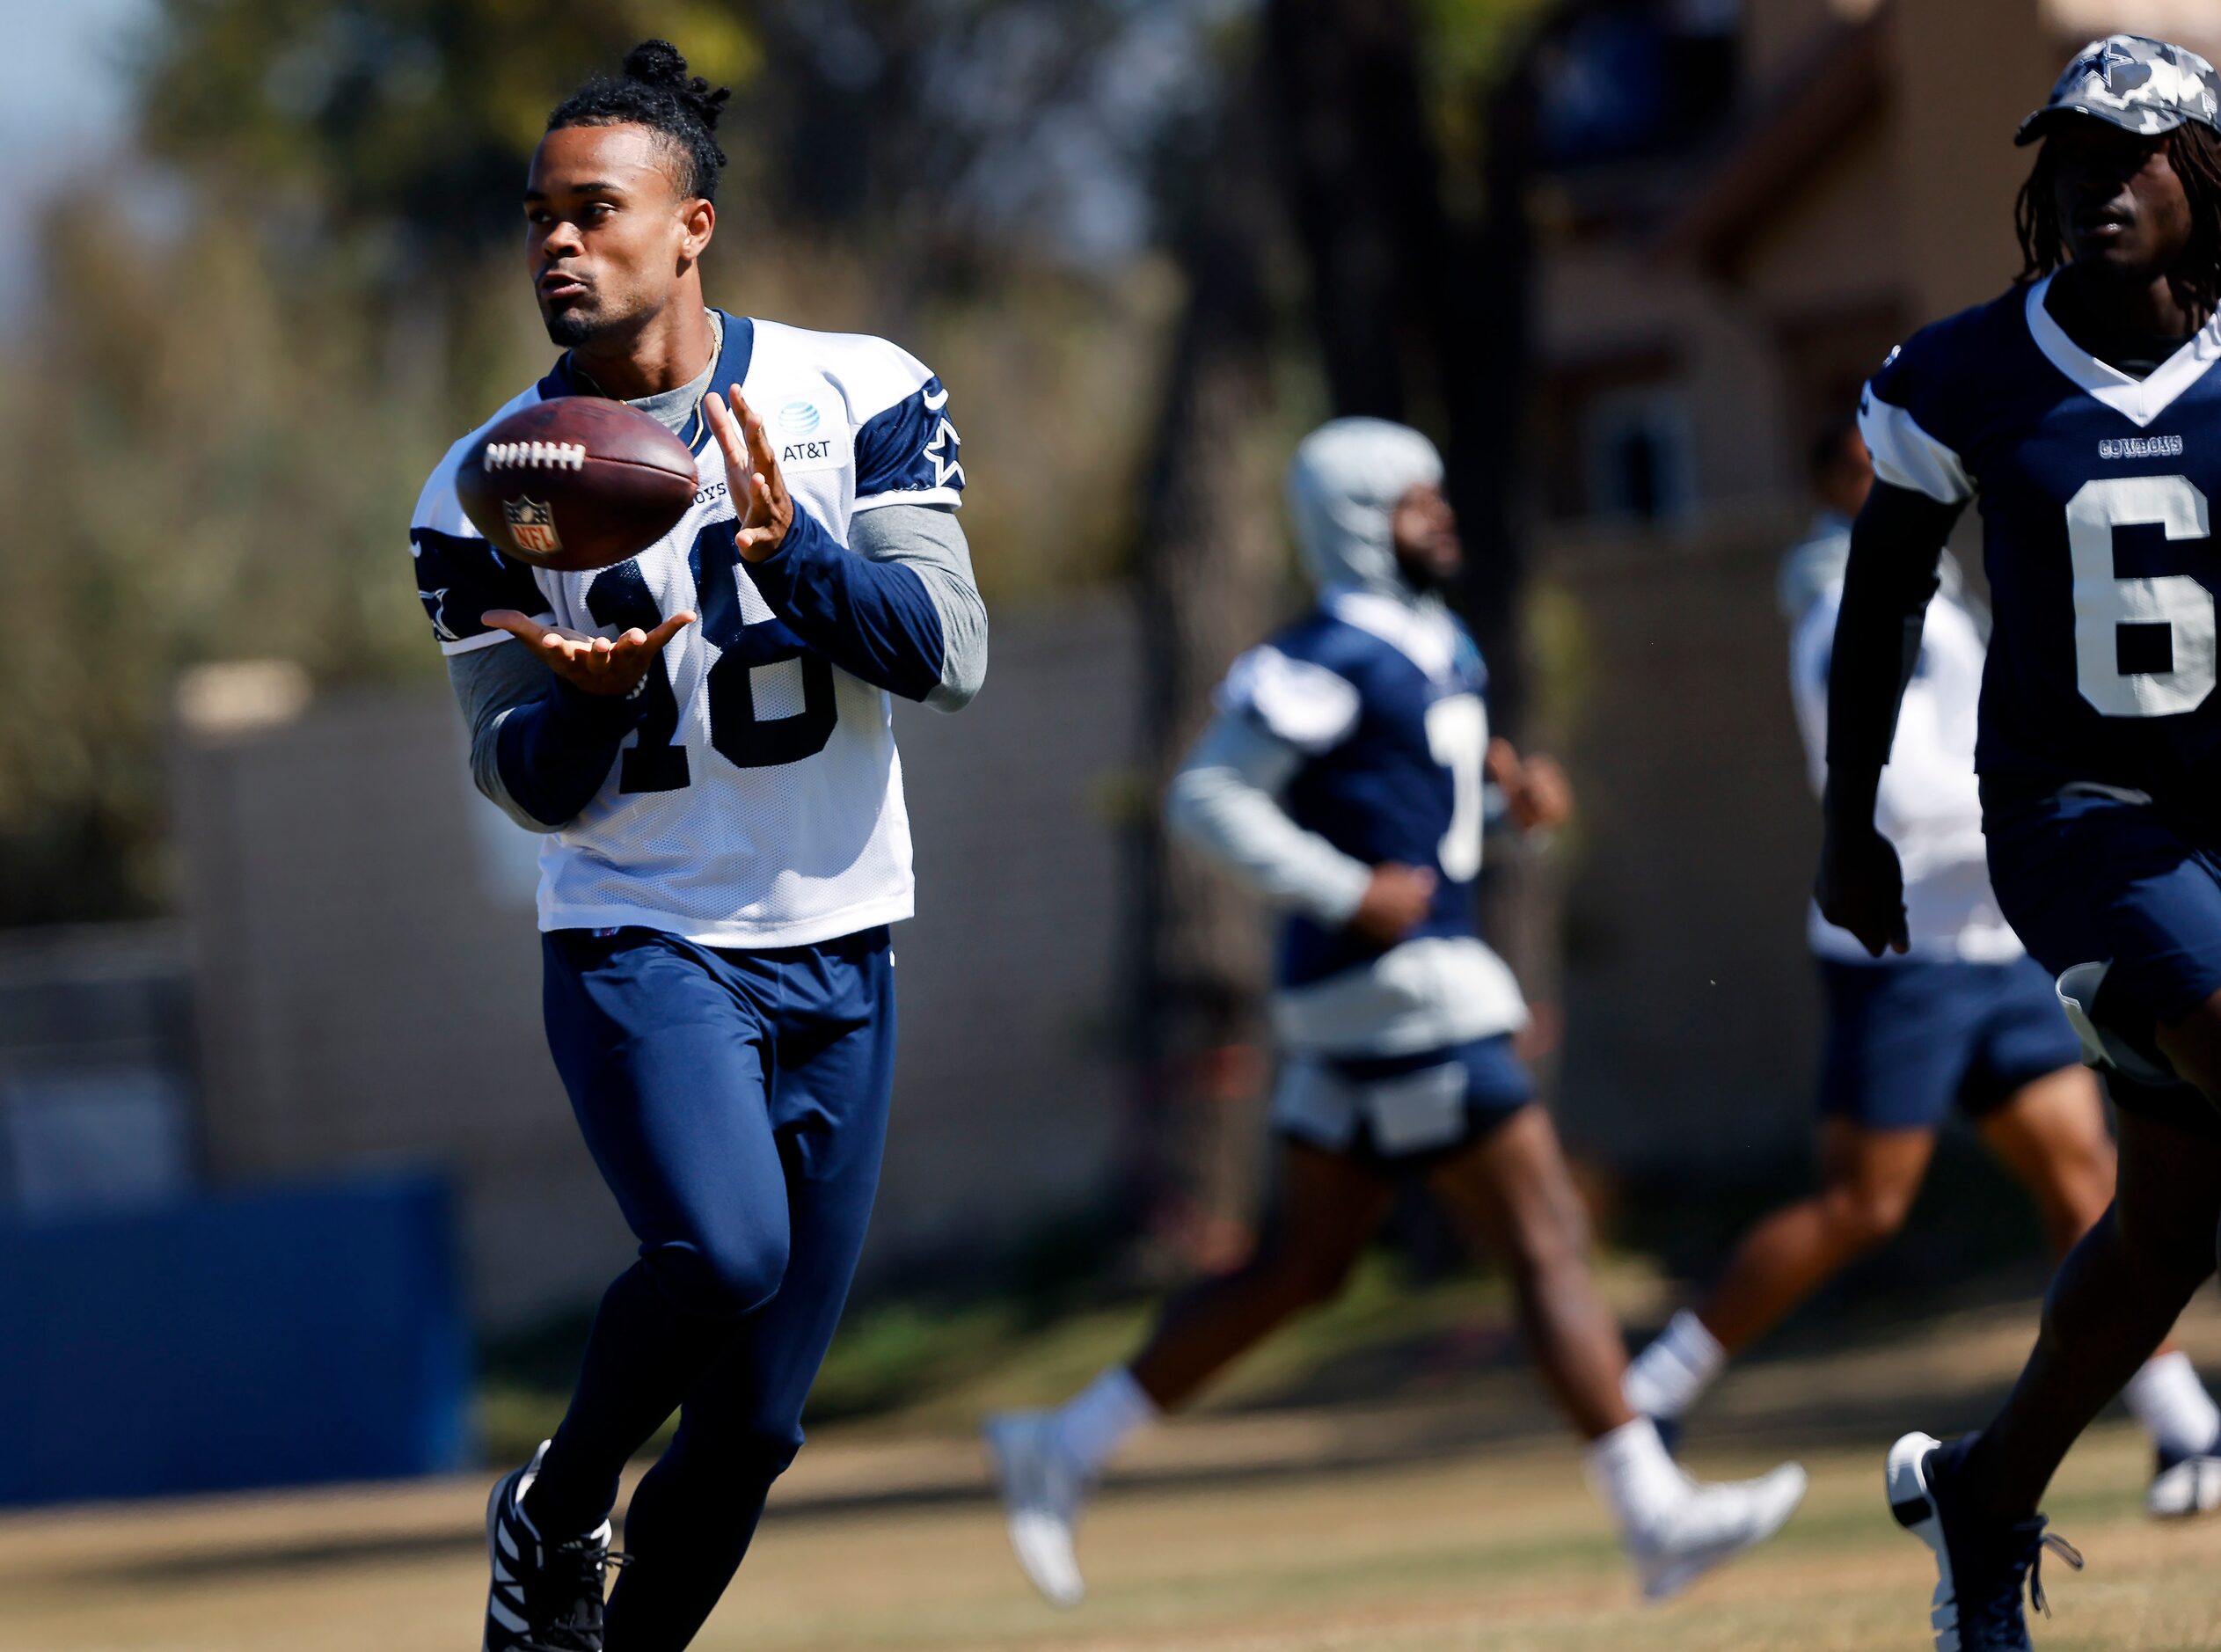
1345 780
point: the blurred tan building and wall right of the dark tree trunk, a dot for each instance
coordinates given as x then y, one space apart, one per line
1740 210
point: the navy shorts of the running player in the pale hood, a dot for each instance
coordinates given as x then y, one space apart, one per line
1403 1109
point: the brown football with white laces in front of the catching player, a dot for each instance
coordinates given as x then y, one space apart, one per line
576 483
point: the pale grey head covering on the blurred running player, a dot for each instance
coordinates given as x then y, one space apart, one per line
1343 490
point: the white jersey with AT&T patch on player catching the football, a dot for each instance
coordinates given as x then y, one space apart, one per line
761 800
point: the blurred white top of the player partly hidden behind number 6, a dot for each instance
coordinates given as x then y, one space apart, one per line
1929 805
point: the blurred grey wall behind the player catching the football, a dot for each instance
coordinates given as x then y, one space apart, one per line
368 967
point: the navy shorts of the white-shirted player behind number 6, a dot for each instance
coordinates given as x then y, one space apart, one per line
1911 1038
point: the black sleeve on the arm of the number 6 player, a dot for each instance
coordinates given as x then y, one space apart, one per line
1896 547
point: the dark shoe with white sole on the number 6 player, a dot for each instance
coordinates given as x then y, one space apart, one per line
1982 1564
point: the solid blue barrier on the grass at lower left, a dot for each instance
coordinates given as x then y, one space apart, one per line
272 1338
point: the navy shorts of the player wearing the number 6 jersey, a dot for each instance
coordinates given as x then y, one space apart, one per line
2096 880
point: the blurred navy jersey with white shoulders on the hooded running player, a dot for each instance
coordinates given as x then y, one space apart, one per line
1387 705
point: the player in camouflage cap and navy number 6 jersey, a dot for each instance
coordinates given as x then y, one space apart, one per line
2084 414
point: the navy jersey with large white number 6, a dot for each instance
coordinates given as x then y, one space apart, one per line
2096 503
